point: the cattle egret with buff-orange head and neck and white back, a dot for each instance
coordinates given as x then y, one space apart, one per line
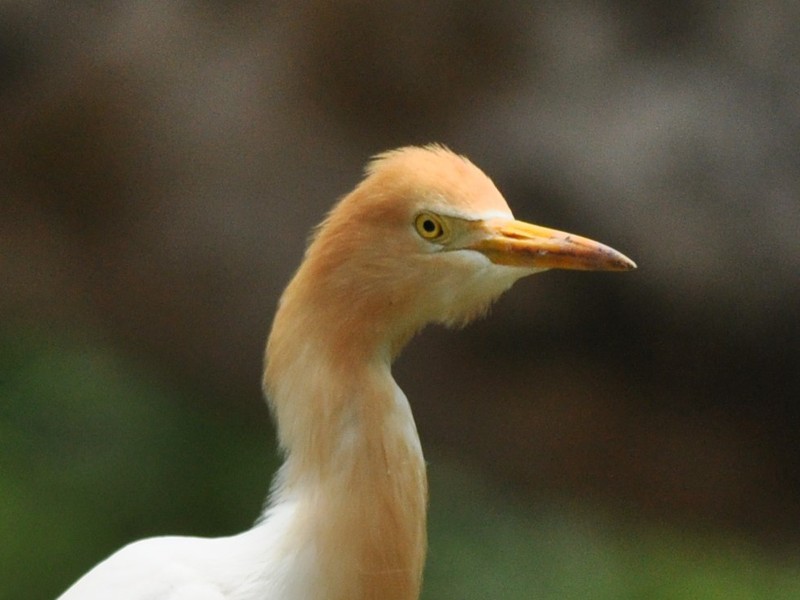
425 237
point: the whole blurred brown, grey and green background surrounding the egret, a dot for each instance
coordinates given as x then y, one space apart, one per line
599 436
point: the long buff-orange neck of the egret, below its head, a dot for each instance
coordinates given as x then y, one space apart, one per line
354 468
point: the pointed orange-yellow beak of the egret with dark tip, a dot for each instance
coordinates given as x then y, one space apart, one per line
520 244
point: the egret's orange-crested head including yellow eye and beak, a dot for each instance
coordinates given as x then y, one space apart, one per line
427 237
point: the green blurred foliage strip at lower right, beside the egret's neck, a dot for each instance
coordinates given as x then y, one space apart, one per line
484 544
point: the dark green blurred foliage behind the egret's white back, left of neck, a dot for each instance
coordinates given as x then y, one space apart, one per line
94 453
